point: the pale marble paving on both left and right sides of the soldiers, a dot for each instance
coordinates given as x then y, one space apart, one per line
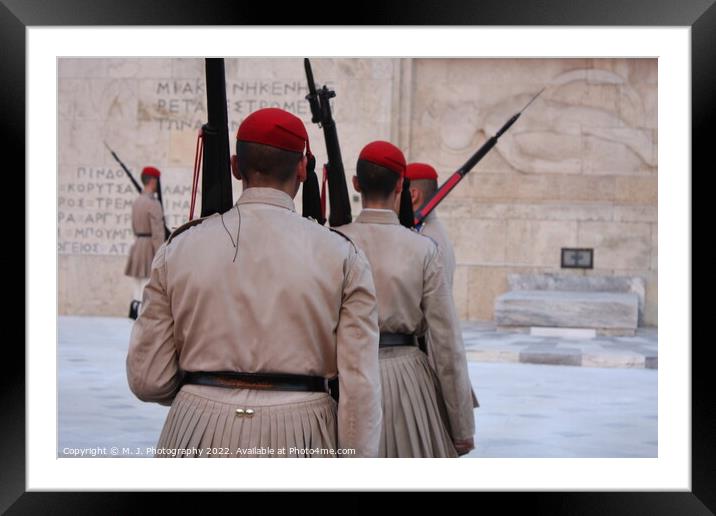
527 410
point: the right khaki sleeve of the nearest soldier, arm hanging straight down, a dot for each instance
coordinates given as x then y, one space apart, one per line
359 407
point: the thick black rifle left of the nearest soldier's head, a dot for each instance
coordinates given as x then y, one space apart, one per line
216 196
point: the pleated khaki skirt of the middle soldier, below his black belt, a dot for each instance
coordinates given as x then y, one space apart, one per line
414 417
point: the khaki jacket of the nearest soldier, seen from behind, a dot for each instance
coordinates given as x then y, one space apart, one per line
294 297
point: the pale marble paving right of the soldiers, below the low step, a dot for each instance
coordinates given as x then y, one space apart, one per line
529 410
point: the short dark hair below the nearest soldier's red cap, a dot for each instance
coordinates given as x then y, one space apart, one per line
269 162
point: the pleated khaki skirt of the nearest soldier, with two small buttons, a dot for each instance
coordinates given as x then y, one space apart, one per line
218 422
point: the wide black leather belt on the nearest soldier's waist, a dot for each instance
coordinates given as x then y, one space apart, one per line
260 381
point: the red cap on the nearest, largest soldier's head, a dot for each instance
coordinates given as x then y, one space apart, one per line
276 128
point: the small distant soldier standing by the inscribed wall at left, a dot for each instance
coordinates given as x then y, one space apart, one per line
148 228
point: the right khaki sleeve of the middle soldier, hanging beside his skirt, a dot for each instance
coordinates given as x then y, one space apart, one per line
448 351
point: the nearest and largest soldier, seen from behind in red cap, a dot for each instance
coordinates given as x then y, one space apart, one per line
249 312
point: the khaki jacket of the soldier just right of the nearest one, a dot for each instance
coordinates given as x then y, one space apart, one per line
413 297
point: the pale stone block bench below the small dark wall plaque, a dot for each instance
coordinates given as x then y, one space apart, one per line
608 305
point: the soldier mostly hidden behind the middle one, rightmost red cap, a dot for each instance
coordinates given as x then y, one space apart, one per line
423 185
